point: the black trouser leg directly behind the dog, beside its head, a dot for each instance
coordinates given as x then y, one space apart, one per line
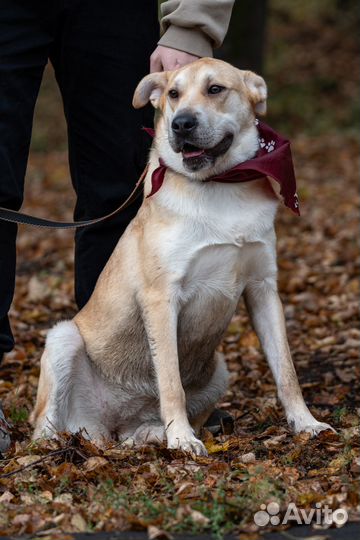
104 52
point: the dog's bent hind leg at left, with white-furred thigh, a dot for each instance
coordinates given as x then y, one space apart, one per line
64 402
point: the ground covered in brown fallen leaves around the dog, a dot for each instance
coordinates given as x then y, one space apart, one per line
71 485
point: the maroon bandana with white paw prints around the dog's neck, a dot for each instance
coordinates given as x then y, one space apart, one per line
272 159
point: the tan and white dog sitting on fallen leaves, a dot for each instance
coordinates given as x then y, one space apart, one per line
139 361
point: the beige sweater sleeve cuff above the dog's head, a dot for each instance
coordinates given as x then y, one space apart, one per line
195 26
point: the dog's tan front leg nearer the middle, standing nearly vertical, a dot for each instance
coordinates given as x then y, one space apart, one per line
160 319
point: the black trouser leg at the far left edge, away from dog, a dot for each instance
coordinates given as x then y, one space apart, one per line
24 43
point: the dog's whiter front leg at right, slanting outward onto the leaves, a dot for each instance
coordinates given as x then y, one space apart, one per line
266 312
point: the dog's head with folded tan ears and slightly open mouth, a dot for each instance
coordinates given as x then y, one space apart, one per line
207 115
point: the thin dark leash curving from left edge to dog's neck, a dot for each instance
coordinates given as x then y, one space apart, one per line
24 219
